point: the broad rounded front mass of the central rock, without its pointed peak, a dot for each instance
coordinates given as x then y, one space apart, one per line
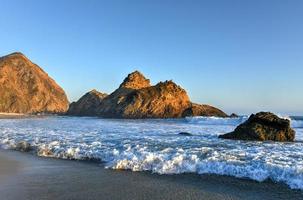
164 100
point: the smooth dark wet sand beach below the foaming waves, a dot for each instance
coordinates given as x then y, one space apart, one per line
32 177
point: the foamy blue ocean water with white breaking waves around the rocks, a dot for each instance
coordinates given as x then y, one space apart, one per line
154 145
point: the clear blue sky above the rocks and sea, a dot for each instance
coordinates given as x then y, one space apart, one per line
241 56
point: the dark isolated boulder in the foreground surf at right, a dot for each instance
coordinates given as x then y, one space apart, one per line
263 126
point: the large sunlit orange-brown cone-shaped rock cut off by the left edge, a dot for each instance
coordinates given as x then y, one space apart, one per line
26 88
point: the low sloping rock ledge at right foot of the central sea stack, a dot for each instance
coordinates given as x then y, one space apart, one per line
202 110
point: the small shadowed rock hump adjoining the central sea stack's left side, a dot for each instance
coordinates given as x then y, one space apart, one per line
87 105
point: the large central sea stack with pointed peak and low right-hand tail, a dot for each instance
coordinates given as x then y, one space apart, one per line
136 98
